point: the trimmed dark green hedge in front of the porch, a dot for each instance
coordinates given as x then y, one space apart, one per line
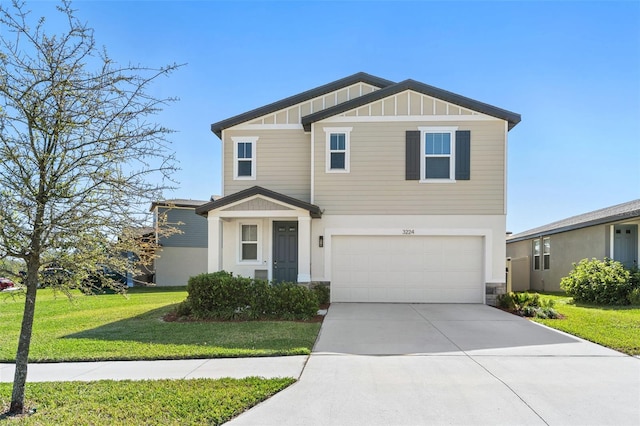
222 296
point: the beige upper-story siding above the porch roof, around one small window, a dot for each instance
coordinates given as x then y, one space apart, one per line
283 161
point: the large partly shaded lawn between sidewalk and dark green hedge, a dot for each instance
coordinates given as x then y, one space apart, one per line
112 327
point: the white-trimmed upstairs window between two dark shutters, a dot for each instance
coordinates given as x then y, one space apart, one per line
437 151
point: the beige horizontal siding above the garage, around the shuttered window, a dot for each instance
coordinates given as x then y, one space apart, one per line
376 183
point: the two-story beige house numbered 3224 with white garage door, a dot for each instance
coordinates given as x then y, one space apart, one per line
390 192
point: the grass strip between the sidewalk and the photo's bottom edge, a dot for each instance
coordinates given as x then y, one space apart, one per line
149 402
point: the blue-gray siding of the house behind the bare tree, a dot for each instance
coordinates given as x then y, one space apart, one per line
193 227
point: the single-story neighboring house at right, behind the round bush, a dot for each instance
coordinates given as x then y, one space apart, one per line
540 257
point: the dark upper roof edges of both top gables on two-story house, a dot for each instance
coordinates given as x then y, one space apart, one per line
387 88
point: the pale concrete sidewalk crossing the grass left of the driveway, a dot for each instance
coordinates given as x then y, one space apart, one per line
267 367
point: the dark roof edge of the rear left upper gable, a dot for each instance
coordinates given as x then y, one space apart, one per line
218 127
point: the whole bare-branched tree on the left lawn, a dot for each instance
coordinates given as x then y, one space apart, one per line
78 151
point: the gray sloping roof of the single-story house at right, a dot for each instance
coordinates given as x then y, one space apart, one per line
617 213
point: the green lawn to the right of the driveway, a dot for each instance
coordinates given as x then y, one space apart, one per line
617 327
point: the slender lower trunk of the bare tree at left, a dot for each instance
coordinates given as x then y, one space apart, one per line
22 356
